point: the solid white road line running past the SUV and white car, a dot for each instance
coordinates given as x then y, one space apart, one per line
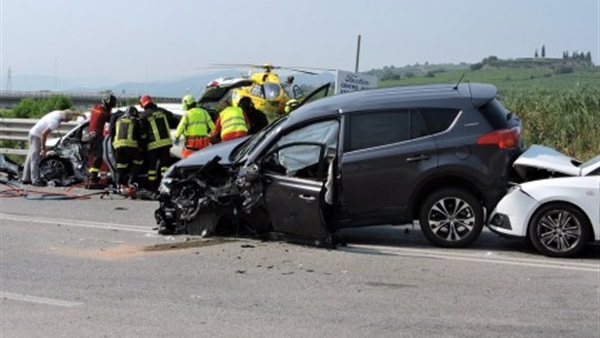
540 263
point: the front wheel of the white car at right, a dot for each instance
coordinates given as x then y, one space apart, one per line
559 230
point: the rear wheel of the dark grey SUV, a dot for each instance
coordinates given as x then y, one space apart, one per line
451 218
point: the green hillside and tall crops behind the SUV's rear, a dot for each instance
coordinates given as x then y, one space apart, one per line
558 108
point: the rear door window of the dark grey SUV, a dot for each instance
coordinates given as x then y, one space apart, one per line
374 129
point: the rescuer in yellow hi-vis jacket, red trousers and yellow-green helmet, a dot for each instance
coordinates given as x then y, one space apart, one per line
195 126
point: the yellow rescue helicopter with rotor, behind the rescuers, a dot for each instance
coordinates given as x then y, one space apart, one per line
266 89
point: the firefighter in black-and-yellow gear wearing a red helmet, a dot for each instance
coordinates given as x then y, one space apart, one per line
156 133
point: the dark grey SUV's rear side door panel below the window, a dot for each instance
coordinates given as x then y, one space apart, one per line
375 181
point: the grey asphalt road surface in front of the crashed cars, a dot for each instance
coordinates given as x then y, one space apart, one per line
97 268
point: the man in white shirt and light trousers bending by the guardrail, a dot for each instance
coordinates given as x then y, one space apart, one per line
37 143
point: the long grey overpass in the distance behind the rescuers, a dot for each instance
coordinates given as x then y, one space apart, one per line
9 99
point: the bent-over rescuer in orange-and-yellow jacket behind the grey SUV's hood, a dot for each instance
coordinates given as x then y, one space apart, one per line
231 123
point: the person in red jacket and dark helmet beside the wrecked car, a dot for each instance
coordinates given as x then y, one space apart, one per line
100 115
